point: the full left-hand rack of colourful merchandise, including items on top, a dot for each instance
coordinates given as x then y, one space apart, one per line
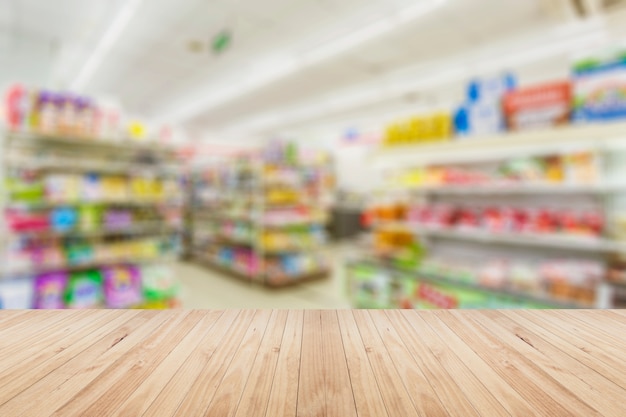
89 221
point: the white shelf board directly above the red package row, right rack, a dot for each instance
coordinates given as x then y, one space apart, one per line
512 189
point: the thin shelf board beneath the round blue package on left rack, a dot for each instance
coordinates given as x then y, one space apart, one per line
148 228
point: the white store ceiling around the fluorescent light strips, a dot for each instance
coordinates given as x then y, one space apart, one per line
150 69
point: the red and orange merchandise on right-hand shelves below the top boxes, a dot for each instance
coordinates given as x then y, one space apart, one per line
497 232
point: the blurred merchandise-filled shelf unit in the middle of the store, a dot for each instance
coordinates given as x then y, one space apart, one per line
263 215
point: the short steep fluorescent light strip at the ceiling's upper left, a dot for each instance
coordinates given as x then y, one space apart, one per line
110 37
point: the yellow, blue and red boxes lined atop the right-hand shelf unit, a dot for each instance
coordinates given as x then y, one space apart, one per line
596 92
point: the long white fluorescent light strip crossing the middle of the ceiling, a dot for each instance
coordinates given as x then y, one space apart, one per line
288 65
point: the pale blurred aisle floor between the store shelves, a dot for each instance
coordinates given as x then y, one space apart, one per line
207 288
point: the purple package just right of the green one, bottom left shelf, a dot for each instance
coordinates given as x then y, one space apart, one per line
122 286
